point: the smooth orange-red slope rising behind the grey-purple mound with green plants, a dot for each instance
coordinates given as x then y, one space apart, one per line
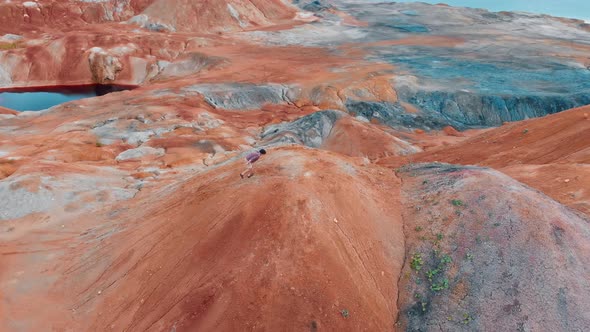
550 154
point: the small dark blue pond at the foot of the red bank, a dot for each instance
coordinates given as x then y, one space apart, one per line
36 99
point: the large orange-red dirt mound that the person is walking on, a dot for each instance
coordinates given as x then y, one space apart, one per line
310 239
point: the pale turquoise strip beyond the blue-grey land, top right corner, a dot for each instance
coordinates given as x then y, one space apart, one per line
566 8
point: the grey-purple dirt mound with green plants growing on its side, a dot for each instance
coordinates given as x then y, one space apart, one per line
484 252
